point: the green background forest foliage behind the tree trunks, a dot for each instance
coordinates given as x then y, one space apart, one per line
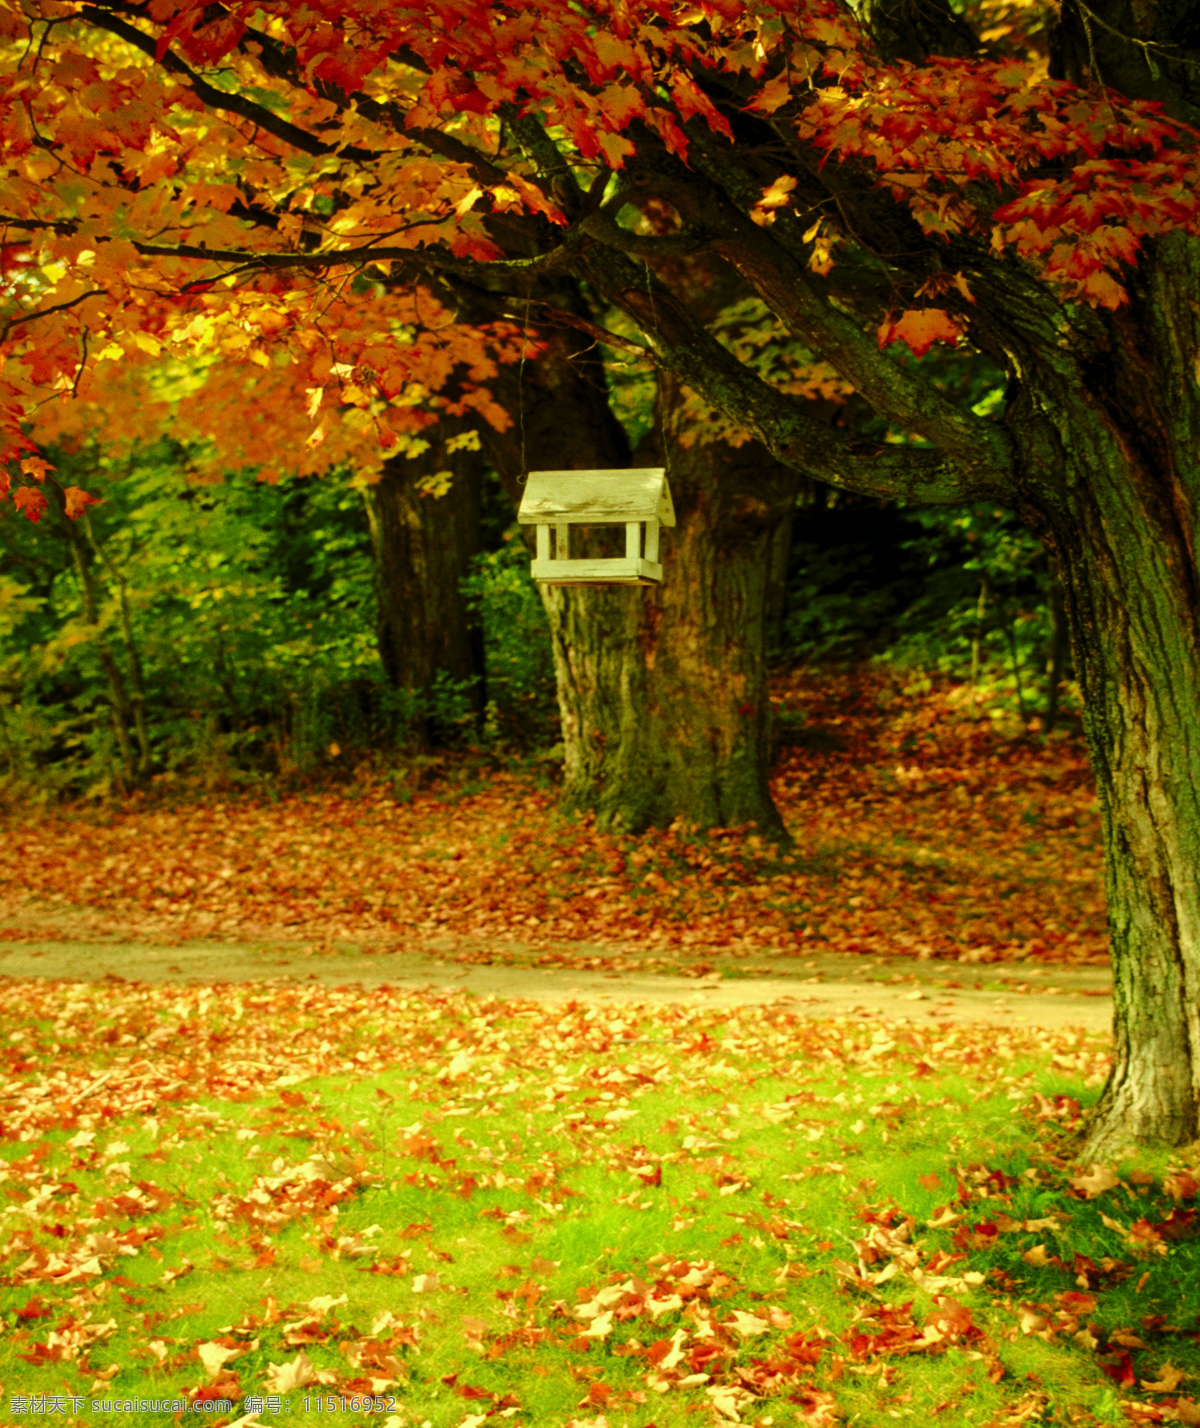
198 633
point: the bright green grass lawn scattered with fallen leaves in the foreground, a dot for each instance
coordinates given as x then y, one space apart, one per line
438 1210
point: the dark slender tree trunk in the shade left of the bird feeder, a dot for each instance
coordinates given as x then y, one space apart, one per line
424 546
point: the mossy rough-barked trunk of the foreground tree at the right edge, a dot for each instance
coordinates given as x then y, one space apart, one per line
1122 519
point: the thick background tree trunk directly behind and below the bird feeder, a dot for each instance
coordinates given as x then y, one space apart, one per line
664 689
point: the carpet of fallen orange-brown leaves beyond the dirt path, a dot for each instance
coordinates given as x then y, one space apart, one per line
919 832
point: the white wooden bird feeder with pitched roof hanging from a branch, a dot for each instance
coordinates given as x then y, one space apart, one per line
558 501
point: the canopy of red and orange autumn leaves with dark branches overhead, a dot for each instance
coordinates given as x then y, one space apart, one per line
355 205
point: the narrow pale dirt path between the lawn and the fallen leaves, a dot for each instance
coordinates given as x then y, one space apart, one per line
1016 995
